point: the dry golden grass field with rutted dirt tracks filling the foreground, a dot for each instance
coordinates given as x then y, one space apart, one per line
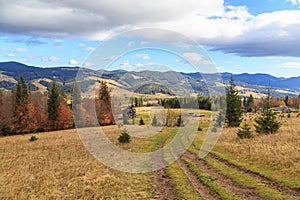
57 166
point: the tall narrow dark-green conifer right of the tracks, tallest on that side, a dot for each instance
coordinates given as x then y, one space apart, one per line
234 109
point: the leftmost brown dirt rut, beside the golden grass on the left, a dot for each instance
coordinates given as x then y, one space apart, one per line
163 182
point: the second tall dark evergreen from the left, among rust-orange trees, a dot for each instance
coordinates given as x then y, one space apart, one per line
53 102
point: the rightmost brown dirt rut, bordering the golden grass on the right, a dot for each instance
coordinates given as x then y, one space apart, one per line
288 191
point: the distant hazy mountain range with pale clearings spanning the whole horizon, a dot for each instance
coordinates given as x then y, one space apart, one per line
146 81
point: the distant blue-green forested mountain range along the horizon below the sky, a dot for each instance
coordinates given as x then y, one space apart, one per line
37 76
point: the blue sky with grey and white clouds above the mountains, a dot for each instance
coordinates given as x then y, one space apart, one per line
253 36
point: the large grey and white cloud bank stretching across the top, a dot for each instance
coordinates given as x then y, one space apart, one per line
231 29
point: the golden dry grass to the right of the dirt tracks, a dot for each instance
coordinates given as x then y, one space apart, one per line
276 156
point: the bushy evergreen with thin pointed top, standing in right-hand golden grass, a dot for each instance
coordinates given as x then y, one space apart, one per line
266 123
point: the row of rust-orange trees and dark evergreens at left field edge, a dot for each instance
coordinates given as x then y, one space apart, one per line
23 111
